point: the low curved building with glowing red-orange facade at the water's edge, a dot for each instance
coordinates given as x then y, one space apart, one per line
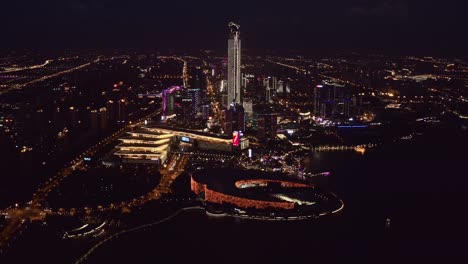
256 192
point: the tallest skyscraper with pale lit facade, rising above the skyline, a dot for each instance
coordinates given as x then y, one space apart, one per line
234 57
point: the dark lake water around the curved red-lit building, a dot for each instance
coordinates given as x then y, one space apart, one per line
421 186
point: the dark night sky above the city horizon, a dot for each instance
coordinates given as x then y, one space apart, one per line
386 26
